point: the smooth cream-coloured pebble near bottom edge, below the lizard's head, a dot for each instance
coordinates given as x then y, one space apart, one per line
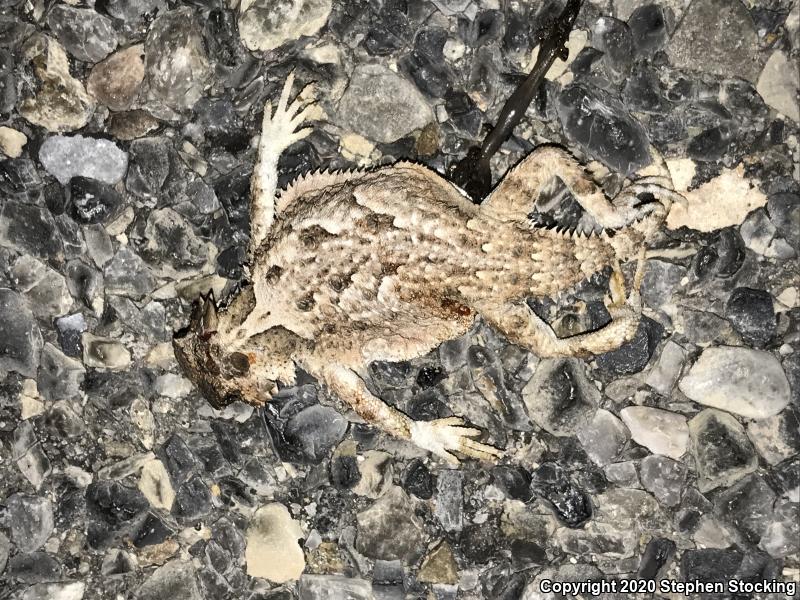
272 549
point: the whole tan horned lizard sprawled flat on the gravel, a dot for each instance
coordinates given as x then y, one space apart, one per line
386 264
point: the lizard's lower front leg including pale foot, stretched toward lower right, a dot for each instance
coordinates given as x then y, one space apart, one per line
441 436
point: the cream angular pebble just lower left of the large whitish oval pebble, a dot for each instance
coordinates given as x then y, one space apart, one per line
660 431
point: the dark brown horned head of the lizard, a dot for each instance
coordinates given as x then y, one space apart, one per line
222 376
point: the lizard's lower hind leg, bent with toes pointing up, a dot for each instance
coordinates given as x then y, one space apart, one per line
522 326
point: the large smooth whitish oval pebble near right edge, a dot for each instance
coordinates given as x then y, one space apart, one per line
744 381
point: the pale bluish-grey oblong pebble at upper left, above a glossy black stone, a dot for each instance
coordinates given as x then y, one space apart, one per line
66 157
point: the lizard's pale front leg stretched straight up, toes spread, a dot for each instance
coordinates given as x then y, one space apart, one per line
279 130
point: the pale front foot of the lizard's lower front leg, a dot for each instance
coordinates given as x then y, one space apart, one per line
442 436
